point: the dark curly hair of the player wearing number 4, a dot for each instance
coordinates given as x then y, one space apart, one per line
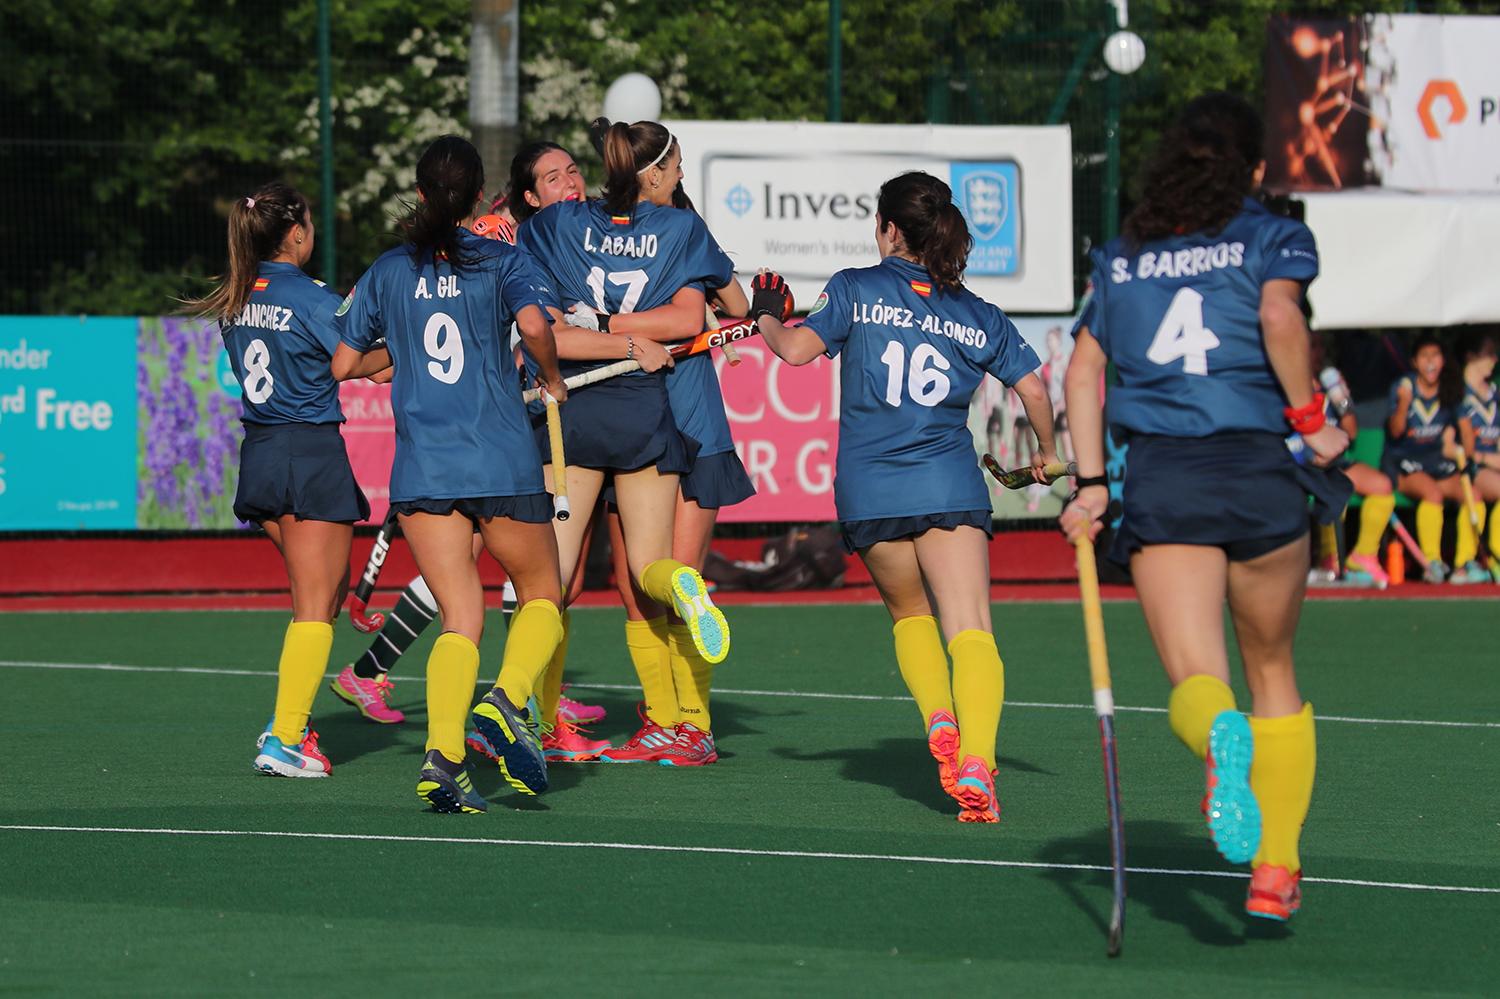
1202 170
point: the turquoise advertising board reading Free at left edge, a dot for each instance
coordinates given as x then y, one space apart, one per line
68 424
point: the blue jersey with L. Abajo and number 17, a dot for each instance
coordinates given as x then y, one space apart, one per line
622 265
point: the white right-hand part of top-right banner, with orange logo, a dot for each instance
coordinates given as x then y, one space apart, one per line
1435 82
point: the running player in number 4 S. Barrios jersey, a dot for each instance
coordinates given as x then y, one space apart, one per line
1199 307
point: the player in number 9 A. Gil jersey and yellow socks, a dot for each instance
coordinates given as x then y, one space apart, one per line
466 458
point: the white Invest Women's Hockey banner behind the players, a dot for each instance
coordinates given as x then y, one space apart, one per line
800 199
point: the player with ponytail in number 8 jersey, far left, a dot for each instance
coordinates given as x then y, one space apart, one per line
295 473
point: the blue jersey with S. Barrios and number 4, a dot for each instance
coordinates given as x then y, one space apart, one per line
1181 322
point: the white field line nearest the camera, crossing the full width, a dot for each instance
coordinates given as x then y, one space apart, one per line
731 851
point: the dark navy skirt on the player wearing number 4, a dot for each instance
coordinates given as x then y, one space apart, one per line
1241 493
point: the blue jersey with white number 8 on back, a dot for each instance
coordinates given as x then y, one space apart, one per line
281 347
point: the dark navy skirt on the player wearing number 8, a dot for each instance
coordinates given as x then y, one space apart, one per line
299 469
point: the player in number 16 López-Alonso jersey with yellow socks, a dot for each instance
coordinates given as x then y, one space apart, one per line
910 493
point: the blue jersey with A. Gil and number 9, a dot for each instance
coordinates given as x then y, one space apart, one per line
461 428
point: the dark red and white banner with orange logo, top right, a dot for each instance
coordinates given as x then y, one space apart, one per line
1400 101
